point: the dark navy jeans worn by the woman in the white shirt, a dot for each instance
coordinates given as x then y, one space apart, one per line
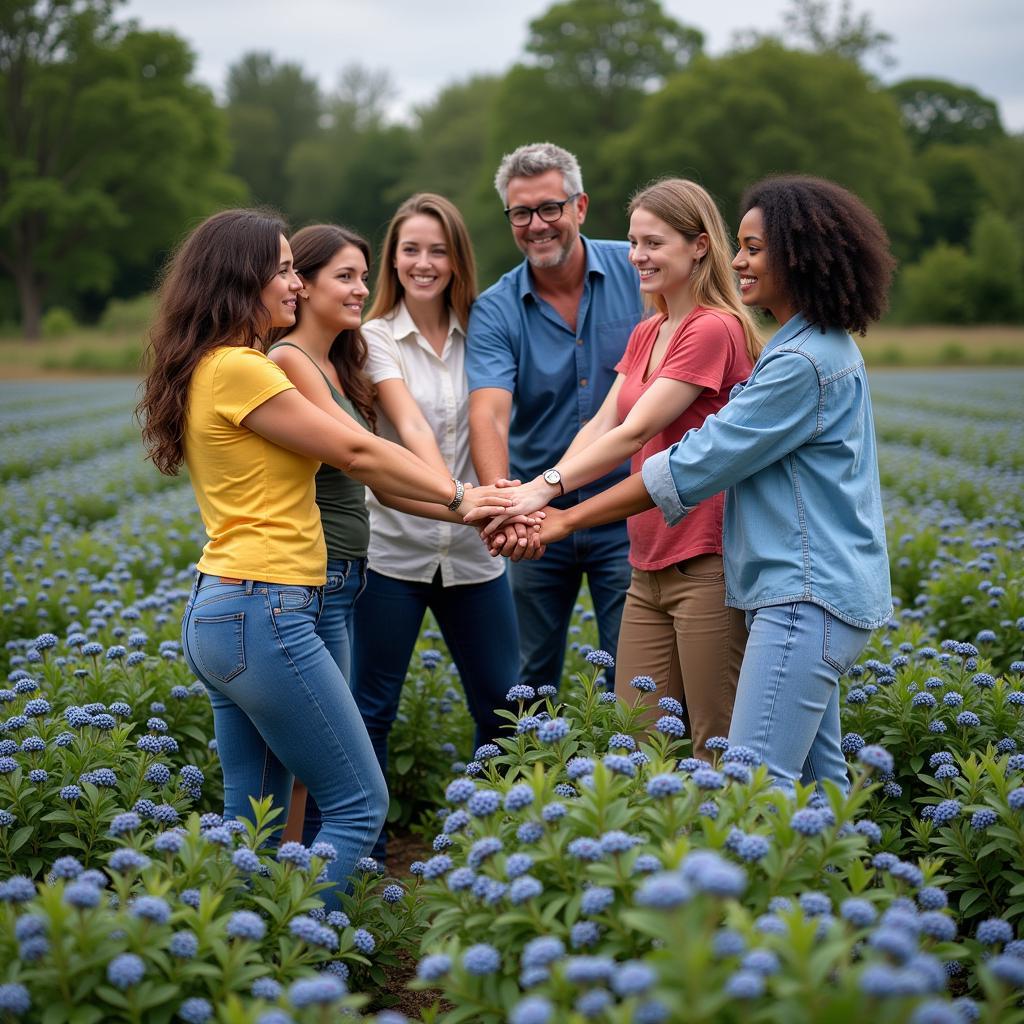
478 622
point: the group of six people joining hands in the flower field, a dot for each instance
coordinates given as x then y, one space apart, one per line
607 409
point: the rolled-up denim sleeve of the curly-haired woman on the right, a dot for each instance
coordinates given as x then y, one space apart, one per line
777 413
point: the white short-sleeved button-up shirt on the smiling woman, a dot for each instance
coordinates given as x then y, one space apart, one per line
405 546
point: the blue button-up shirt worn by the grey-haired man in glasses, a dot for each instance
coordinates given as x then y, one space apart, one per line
559 377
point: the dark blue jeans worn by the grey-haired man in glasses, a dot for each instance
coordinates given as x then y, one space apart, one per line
546 591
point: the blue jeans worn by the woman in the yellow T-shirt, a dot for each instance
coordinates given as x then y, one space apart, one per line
281 709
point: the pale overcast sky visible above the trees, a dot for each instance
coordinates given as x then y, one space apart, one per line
428 46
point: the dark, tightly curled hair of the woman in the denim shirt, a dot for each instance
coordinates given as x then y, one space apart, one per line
831 252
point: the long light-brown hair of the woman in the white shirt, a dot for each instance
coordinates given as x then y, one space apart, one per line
462 288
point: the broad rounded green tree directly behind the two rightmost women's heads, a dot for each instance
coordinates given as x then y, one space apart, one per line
729 121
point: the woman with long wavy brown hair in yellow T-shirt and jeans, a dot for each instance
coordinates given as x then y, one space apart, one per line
252 445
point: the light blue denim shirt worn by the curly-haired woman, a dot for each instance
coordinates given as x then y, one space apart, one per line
795 451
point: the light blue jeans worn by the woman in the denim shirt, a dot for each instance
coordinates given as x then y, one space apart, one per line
787 706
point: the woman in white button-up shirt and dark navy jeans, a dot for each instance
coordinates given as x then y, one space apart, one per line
416 337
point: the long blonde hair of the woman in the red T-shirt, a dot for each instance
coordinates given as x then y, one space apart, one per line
689 209
